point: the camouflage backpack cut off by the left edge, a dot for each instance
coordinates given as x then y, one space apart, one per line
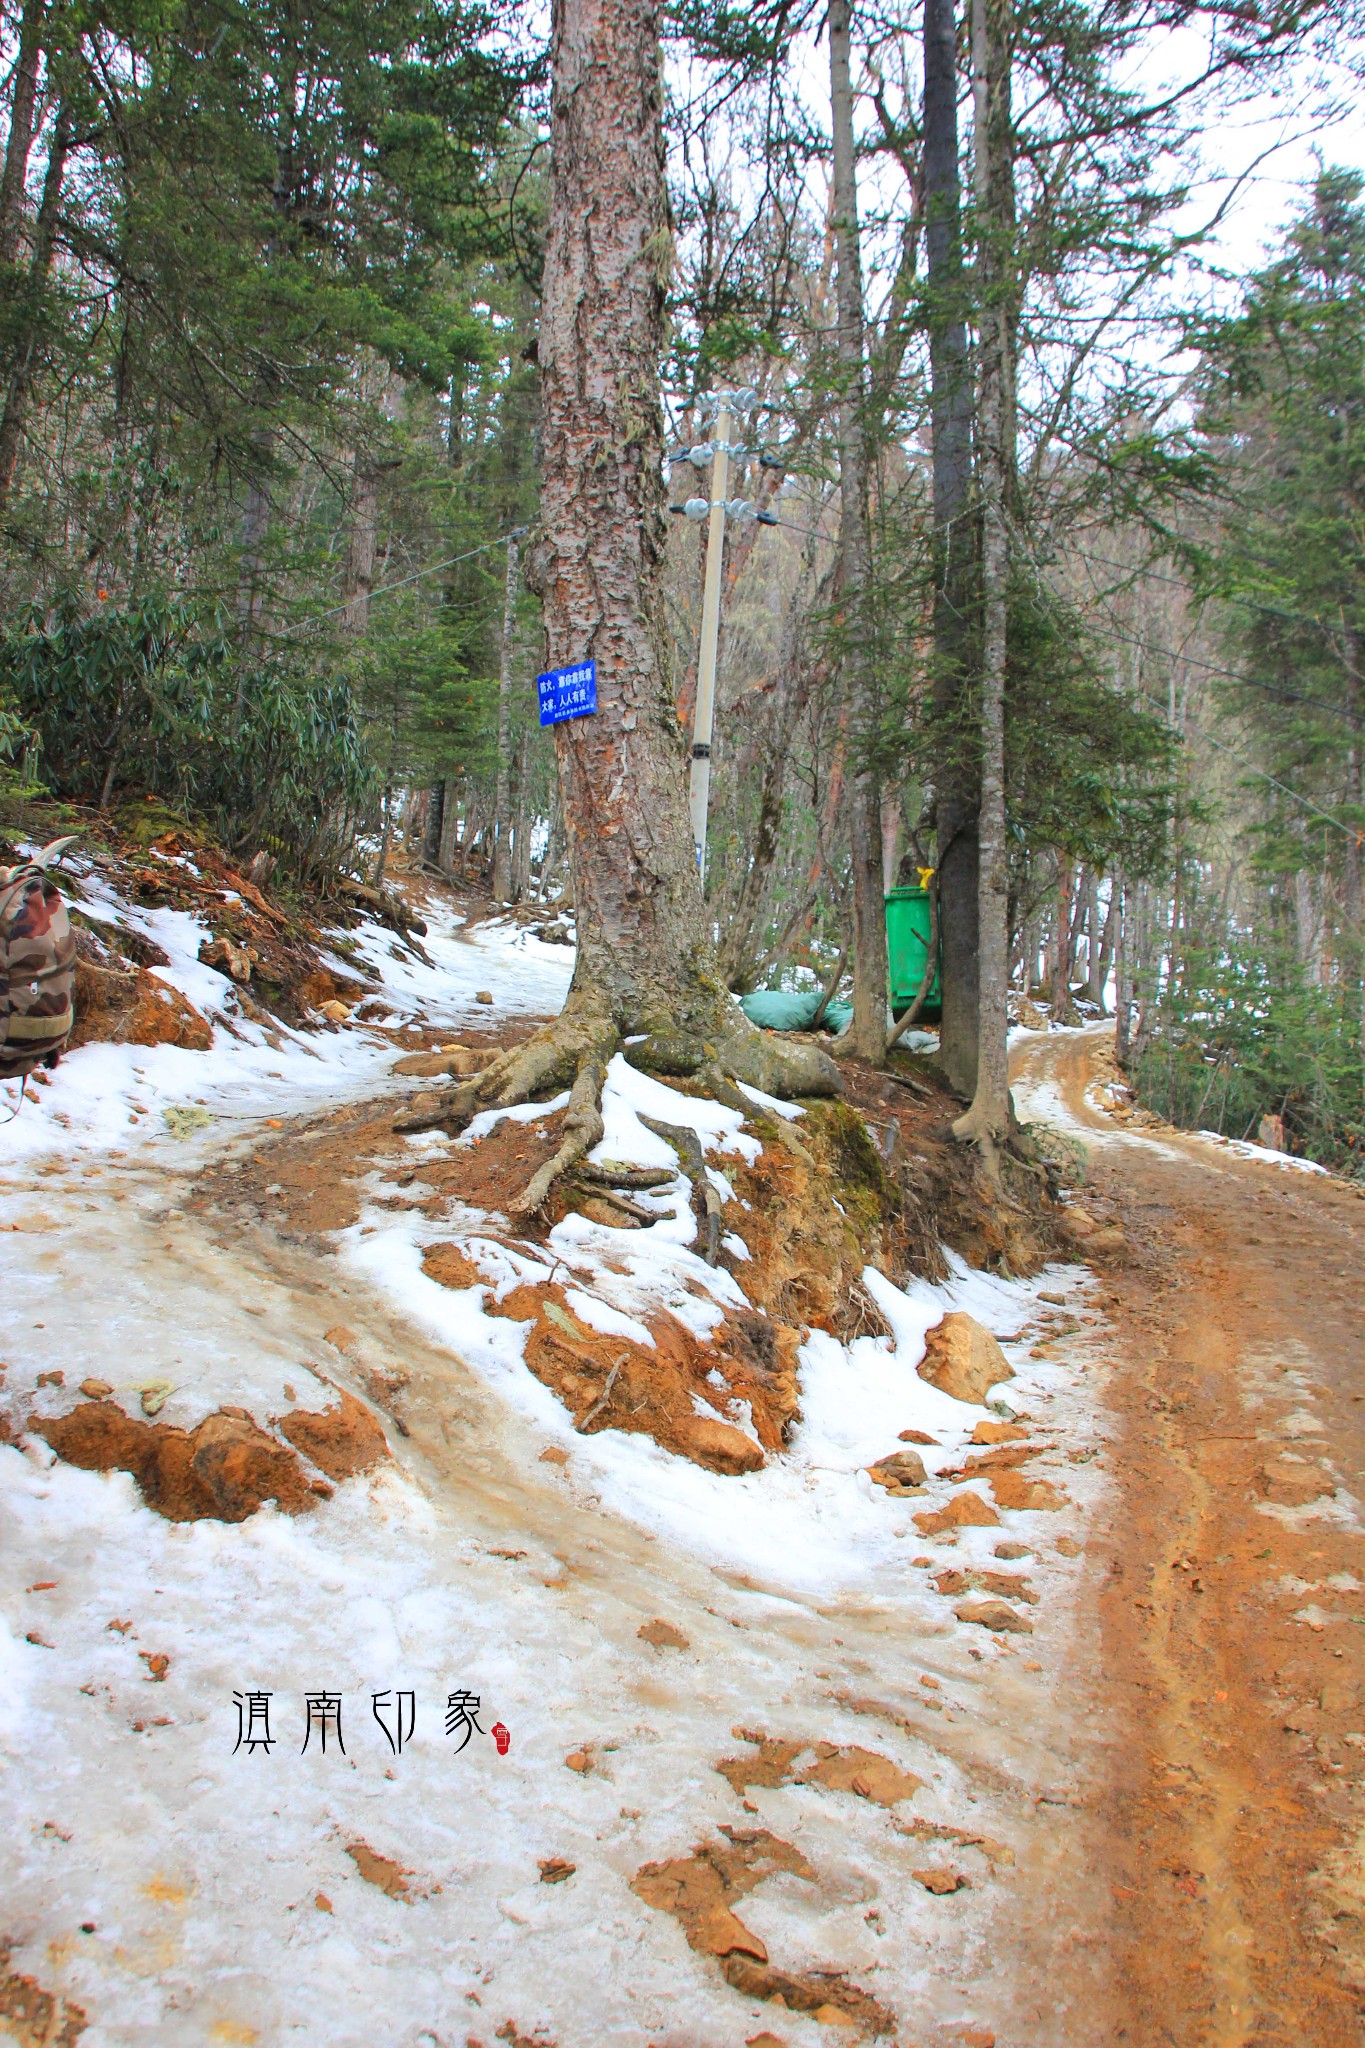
38 966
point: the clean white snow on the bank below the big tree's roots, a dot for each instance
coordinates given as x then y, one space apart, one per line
813 1517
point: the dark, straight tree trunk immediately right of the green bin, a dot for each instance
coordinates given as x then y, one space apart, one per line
955 568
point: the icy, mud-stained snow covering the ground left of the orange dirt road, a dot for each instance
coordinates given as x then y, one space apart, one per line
181 1887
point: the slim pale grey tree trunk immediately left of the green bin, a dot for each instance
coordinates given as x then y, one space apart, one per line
869 1029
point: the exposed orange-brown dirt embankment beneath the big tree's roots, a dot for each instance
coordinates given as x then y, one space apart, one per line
873 1181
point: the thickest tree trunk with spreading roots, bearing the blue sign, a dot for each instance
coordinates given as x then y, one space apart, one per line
646 966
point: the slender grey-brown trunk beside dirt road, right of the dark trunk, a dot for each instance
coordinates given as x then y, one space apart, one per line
987 1121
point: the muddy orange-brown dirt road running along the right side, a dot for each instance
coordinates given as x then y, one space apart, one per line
1231 1664
